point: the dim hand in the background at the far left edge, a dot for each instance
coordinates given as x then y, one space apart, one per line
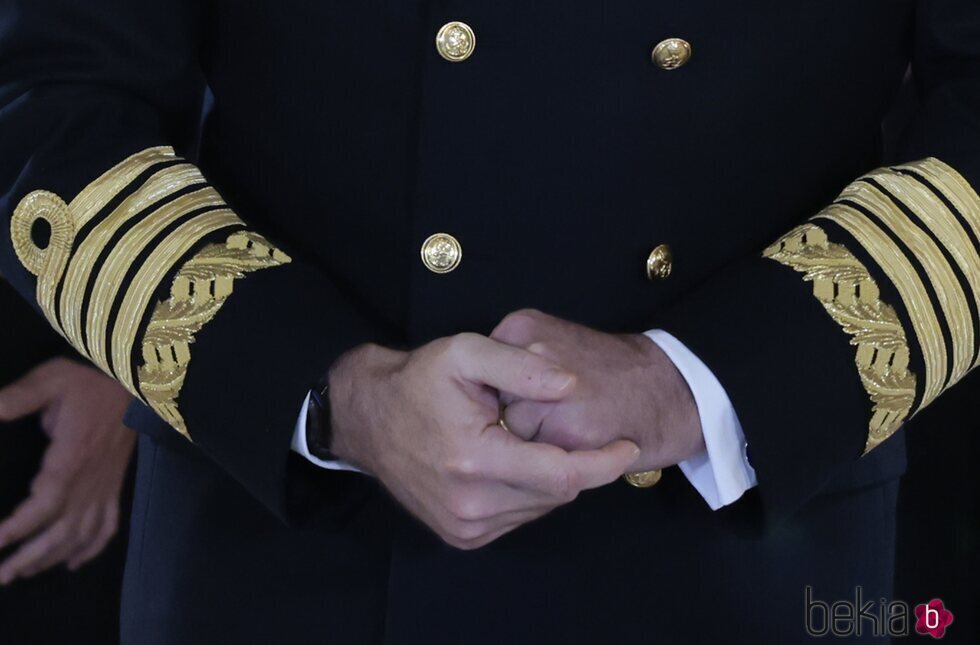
72 511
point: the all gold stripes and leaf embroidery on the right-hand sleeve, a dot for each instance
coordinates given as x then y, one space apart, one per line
919 224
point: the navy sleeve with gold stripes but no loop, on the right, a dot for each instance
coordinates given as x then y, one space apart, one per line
845 327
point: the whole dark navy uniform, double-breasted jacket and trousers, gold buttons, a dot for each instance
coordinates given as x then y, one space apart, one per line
554 145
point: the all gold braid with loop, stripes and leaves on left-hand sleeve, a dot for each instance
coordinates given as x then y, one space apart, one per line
100 259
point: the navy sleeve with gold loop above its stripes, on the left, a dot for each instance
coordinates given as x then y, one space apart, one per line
132 255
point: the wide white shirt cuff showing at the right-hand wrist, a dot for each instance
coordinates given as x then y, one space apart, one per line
722 473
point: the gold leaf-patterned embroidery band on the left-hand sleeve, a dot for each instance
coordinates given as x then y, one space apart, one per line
199 290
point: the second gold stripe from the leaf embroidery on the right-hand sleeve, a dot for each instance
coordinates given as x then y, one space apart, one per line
949 292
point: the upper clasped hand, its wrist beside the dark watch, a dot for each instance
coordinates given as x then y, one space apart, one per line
425 423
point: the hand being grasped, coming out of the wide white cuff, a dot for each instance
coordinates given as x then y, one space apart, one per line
626 388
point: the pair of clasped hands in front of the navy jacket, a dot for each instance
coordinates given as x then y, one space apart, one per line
582 408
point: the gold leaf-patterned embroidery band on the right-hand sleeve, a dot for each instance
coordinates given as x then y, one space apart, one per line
850 295
